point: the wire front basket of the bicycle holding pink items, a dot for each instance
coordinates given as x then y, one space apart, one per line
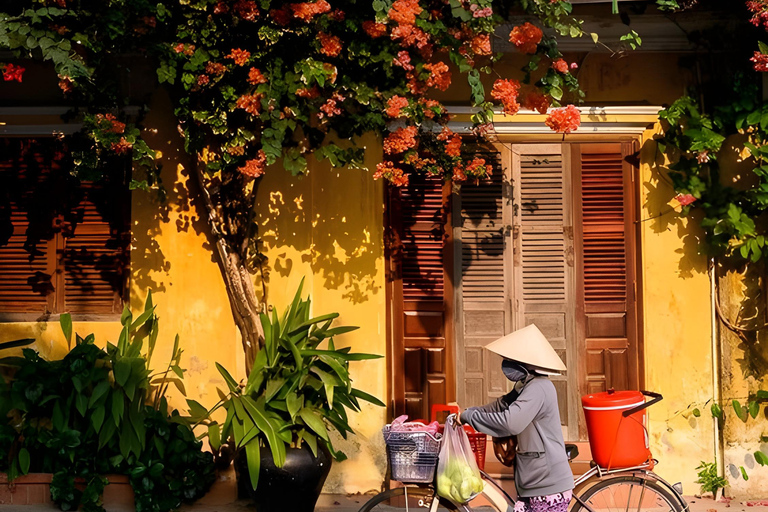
412 454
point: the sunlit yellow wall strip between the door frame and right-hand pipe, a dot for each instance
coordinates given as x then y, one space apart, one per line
677 330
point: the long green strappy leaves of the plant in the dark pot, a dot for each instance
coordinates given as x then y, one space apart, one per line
298 390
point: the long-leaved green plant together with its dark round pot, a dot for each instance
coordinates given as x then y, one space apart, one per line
280 419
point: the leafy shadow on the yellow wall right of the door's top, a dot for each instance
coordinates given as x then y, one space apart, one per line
662 216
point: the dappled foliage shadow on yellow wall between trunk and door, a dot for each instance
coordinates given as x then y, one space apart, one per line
332 218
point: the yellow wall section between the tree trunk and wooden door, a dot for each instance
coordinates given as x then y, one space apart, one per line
327 227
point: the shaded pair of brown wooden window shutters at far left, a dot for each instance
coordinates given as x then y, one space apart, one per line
63 243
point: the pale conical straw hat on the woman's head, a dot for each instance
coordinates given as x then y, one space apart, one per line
528 346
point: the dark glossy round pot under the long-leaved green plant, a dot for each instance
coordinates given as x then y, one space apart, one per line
295 487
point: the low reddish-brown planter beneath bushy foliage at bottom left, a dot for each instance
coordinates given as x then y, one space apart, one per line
35 489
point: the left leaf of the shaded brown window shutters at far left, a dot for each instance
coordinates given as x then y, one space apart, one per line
27 250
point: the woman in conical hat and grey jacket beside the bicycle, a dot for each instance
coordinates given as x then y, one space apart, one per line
530 412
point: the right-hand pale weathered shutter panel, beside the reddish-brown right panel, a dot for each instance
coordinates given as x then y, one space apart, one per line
543 260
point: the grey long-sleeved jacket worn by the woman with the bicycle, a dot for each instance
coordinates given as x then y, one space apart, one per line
541 464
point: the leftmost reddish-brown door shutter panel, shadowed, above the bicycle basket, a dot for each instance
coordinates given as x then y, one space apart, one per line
419 289
